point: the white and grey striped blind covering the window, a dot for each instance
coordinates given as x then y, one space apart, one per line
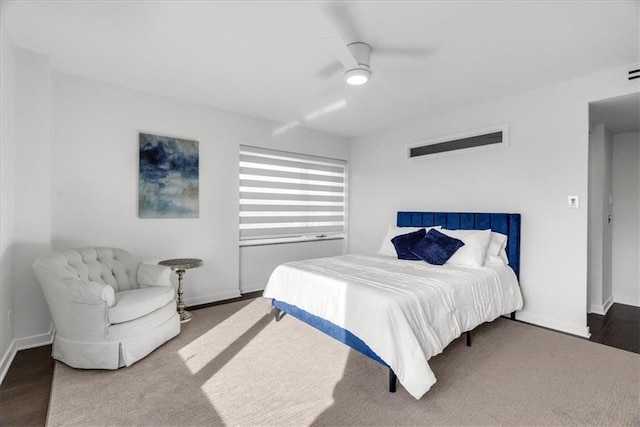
289 197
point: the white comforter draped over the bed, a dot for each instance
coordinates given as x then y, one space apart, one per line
405 311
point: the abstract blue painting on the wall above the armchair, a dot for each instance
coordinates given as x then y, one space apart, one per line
168 184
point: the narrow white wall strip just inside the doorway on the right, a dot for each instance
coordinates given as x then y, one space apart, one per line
600 295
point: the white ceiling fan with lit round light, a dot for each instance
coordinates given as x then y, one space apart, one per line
354 55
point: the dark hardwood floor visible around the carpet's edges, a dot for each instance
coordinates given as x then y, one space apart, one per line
25 391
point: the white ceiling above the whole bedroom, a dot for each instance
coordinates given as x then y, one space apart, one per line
269 59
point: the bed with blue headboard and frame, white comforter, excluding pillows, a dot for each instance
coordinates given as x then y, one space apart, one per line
398 312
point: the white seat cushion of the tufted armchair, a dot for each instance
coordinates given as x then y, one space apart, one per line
137 303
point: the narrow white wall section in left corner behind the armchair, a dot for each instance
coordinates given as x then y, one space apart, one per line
32 201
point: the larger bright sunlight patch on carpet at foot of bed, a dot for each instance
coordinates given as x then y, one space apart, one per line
294 379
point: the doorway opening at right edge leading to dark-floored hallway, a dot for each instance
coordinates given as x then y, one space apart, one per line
613 278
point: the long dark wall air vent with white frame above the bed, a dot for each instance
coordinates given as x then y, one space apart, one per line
476 140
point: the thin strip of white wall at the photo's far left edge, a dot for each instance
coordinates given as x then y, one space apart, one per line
7 144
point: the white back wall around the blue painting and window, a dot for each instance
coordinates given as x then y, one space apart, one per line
94 156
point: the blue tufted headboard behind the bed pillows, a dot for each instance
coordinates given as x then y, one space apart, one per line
505 223
